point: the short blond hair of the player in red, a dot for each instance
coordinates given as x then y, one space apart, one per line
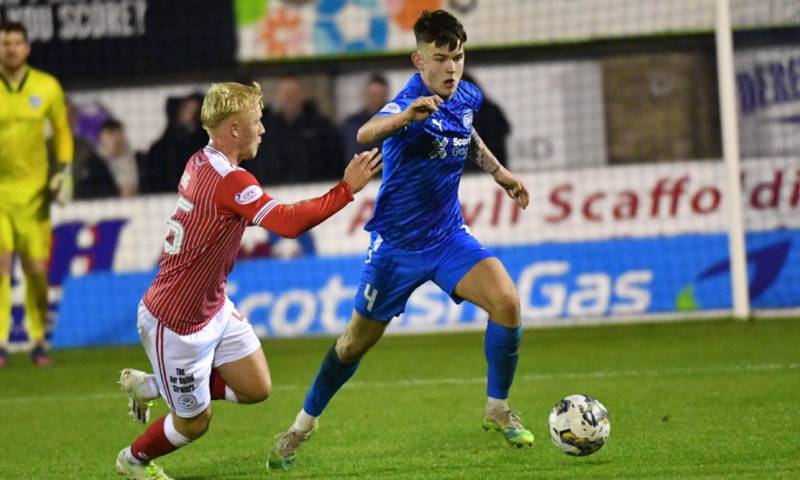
226 99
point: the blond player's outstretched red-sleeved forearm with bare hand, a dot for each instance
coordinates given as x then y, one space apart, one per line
294 219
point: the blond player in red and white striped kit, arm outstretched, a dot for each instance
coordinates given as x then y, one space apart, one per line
200 347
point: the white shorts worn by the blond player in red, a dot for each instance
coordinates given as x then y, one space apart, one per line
182 363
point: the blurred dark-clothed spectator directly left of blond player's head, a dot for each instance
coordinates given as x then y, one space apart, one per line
163 165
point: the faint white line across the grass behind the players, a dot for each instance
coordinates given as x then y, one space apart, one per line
531 377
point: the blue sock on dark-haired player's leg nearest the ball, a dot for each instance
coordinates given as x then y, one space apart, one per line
500 345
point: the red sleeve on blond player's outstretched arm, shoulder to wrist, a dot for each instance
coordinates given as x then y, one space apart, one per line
239 195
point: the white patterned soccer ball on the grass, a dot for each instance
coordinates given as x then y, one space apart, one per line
579 425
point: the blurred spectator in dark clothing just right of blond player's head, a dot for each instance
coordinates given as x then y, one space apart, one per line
302 144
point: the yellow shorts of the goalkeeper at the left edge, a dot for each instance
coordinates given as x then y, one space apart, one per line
26 234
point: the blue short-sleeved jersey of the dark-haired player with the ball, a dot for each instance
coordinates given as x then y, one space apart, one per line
417 205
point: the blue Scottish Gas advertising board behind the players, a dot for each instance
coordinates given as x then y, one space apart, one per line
557 282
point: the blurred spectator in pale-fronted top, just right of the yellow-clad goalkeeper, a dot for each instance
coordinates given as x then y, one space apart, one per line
111 170
